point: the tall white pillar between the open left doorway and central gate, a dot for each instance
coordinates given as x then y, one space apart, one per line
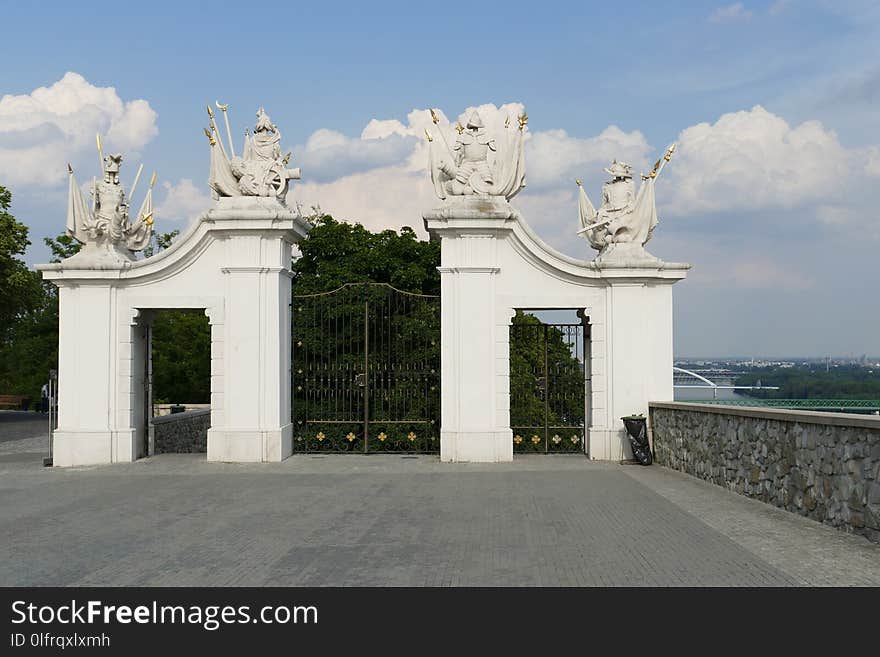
253 423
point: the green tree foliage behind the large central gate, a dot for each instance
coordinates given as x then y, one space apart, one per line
341 287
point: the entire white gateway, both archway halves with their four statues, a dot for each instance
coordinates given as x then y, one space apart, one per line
234 263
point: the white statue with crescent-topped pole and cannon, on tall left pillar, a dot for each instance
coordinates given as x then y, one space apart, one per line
260 171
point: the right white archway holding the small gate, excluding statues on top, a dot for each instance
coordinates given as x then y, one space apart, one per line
493 263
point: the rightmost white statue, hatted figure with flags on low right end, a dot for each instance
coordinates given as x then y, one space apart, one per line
624 217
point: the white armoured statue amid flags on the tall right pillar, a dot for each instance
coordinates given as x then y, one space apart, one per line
467 168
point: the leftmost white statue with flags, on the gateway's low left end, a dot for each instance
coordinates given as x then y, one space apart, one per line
106 227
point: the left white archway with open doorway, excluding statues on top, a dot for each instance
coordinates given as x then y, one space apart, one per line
234 264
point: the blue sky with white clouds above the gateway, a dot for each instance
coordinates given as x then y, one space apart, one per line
773 196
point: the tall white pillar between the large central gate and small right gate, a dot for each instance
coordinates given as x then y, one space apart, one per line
471 426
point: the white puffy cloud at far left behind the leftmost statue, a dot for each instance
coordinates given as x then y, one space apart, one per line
40 132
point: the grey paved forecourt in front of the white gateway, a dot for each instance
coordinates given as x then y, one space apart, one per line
386 520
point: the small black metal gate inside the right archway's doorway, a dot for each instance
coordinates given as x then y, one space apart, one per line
547 386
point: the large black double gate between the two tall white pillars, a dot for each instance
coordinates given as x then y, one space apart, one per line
366 370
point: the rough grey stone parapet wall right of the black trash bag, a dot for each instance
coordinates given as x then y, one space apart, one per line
825 466
